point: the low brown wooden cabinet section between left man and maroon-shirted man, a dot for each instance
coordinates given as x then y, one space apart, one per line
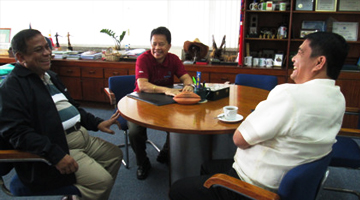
86 80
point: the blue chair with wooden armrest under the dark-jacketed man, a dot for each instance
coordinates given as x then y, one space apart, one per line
17 188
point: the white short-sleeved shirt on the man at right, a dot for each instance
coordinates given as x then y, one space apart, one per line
296 124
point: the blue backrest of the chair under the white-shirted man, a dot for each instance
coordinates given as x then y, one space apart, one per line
304 181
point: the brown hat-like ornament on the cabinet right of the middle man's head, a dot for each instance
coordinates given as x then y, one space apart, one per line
195 50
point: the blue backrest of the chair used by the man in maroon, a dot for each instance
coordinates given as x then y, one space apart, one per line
121 85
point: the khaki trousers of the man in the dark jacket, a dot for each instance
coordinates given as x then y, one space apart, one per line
99 162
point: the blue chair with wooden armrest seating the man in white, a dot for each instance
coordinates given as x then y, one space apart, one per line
301 182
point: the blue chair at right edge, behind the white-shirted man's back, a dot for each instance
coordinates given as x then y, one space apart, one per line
346 152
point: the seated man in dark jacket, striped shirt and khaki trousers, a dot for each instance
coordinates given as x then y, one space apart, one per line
37 115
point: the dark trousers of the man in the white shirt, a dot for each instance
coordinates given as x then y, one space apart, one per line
192 187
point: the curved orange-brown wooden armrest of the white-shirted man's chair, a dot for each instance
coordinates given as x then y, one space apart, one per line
240 187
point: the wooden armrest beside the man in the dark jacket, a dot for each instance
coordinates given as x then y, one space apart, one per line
20 156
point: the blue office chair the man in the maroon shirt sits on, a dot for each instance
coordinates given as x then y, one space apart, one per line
120 86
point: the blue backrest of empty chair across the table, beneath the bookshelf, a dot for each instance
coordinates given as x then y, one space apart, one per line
266 82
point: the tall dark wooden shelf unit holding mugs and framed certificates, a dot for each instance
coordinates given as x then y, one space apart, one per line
292 19
